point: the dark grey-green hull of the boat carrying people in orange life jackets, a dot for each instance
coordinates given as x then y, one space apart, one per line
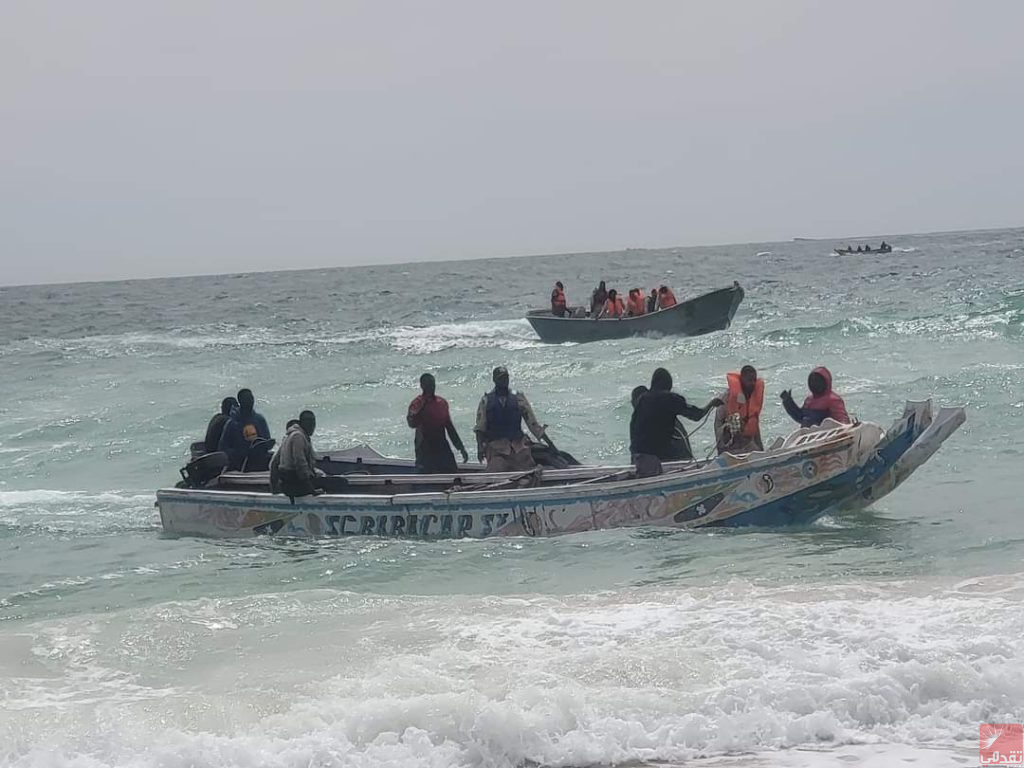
712 312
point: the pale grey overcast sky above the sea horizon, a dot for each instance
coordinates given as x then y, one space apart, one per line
151 139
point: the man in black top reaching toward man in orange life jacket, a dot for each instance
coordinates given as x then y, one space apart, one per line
654 424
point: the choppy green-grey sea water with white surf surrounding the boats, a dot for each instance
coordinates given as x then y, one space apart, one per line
880 638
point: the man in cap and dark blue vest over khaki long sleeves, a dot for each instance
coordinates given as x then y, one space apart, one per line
500 440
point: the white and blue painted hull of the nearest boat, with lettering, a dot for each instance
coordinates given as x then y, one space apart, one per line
812 474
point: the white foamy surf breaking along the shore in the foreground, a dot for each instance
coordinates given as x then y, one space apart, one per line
644 677
